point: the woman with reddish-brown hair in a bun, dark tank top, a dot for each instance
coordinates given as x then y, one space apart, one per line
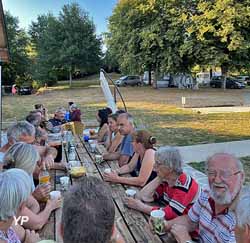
141 165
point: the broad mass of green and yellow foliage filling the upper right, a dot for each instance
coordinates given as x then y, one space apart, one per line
176 35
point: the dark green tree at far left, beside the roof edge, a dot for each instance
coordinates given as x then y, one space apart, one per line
18 43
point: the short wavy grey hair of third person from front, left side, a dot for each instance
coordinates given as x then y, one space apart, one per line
21 128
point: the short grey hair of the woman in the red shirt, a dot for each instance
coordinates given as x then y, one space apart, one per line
170 157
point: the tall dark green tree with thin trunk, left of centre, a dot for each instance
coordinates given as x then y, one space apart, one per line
80 47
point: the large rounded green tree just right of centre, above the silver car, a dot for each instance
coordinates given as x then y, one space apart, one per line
150 35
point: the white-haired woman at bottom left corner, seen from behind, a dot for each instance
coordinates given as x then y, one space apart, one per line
15 190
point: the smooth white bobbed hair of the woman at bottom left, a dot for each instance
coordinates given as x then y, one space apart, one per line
15 188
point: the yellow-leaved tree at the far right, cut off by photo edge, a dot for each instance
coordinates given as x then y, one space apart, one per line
222 30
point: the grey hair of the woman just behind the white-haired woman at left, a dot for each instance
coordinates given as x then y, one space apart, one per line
23 156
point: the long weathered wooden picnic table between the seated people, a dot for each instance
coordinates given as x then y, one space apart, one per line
132 225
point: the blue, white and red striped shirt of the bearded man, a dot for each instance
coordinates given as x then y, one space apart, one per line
212 228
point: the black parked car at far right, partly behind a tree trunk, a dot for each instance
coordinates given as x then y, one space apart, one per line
231 83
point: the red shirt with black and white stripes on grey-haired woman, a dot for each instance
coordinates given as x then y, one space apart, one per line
179 198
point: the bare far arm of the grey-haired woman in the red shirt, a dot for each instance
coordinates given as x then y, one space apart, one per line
147 193
